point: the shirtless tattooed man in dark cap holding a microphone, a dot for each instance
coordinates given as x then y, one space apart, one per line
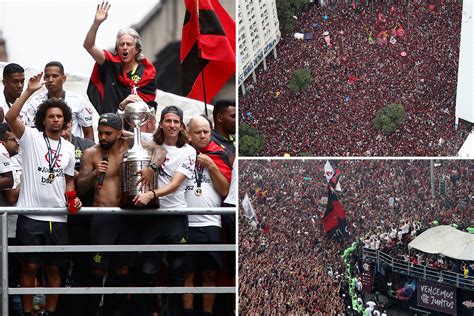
102 161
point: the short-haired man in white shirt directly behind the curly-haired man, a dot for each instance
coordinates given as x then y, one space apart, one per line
81 109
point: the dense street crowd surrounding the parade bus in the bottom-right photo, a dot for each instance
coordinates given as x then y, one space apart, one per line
288 265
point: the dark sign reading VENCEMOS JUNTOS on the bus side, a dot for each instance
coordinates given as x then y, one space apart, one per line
437 297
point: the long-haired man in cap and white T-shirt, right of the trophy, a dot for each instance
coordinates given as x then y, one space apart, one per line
168 229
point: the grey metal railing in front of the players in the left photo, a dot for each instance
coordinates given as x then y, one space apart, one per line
6 291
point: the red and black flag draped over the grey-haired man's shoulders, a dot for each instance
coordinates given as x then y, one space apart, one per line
109 84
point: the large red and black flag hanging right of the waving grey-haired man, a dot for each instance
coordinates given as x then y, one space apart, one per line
207 49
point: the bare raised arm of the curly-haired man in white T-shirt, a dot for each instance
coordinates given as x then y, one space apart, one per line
16 125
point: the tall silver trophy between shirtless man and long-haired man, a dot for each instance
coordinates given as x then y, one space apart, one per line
135 159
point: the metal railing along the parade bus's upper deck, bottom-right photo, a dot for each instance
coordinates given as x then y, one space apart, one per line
418 271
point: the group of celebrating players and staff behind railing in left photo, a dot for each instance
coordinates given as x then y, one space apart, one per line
50 158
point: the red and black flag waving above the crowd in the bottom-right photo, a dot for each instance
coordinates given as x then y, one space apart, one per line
334 219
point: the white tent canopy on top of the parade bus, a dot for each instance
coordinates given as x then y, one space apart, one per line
447 241
